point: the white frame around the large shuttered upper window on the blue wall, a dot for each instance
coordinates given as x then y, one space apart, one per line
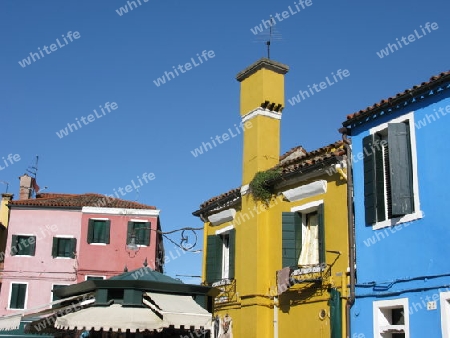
417 213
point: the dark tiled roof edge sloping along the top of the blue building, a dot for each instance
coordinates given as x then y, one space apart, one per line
405 95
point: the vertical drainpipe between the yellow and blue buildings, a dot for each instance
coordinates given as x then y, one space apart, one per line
351 229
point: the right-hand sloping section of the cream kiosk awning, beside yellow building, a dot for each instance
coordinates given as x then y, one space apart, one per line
179 310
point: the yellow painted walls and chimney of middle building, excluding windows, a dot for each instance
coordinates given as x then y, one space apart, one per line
251 297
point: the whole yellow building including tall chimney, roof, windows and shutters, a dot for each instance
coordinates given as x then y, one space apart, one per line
277 246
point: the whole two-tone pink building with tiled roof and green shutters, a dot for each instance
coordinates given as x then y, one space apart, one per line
56 240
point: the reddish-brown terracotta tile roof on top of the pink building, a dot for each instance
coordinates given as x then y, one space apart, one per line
79 201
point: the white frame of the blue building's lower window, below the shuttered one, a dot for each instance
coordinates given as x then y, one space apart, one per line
379 306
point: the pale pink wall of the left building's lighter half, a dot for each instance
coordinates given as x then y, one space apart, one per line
41 271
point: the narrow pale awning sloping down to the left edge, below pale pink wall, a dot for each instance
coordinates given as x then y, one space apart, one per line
12 322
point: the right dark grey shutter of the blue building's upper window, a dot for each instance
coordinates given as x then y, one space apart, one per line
400 169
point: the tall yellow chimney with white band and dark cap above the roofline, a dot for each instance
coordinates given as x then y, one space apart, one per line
261 104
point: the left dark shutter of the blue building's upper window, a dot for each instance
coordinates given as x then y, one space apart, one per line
369 180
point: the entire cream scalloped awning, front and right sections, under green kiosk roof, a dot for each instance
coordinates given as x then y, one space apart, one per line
162 311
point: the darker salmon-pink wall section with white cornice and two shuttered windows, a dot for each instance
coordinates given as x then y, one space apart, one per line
110 259
